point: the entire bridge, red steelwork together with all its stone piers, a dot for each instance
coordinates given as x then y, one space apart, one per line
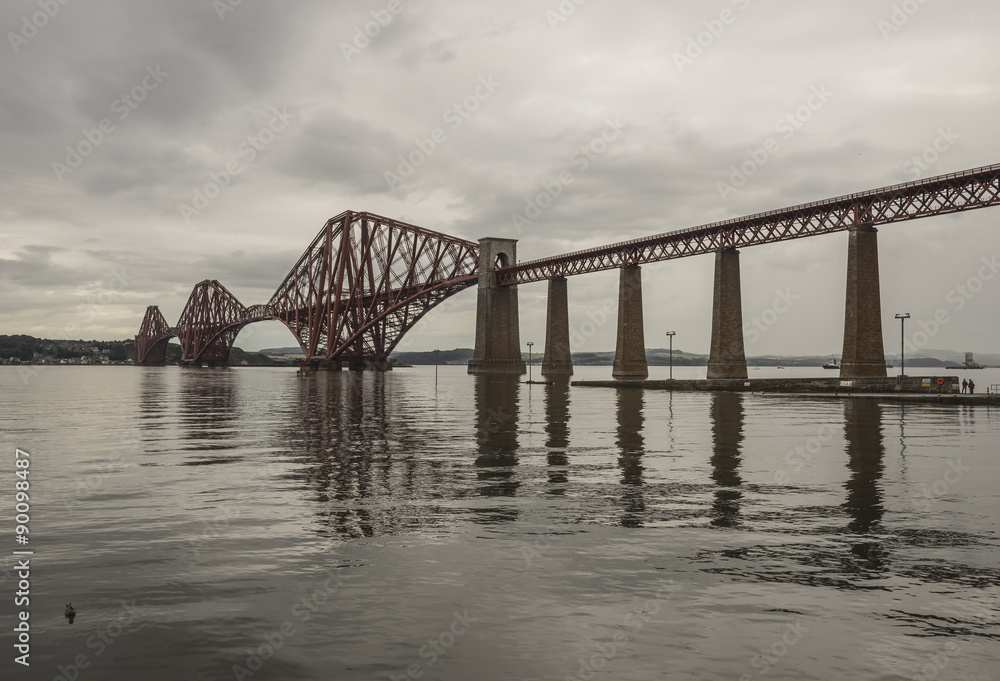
365 280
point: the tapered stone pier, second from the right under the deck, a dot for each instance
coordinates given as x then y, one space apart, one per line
727 358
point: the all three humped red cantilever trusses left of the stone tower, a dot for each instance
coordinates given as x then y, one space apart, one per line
362 283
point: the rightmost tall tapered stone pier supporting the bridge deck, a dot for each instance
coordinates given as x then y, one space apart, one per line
864 353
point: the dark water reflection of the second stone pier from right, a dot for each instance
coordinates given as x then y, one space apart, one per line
726 412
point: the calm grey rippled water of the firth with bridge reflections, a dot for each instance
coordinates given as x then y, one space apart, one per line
369 526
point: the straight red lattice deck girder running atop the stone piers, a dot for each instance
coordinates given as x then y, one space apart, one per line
966 190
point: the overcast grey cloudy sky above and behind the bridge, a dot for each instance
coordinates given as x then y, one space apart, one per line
150 145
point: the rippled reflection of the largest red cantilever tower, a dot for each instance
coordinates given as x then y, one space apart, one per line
371 470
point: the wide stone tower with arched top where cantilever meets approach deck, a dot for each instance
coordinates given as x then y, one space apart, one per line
498 341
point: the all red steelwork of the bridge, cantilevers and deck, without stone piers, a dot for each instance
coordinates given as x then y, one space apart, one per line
365 280
